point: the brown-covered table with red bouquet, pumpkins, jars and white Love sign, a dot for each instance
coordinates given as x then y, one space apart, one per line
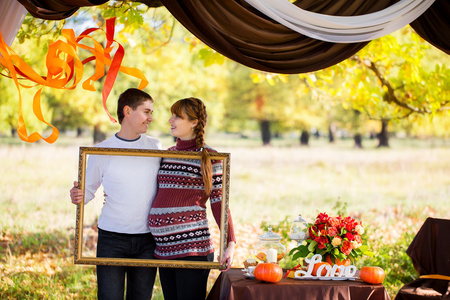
326 251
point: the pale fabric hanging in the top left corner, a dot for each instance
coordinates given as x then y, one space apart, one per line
12 14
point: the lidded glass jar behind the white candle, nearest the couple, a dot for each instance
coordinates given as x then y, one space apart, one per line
269 248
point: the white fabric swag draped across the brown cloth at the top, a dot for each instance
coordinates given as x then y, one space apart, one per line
343 29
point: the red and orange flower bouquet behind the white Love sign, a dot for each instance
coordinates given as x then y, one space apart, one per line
337 237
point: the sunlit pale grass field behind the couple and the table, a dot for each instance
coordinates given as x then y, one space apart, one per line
391 190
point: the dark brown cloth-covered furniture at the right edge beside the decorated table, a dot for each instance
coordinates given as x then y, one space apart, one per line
430 254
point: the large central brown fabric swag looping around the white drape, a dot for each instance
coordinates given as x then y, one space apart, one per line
241 33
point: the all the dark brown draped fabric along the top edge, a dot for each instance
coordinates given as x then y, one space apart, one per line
241 33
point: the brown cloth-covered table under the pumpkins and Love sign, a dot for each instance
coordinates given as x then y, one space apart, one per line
233 285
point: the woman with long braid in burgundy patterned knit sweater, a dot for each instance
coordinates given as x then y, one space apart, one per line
177 218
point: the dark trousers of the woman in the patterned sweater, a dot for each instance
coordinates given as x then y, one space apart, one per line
182 284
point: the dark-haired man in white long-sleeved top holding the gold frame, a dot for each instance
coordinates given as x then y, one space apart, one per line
130 186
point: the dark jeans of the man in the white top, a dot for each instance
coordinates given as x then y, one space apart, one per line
111 279
